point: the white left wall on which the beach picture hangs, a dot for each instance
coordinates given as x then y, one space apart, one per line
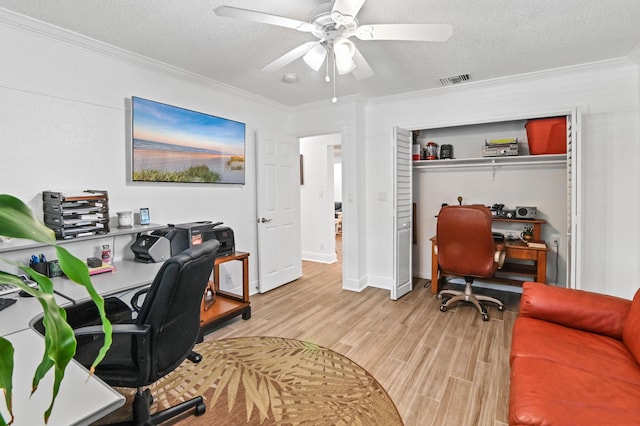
63 103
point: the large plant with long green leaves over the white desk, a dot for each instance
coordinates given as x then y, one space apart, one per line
18 221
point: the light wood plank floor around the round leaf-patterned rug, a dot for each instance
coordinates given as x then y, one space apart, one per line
440 368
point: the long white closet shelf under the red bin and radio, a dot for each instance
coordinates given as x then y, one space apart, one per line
520 160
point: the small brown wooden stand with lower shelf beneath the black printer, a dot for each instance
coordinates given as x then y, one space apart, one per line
219 305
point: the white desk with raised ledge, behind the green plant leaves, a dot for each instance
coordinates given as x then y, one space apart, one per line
82 399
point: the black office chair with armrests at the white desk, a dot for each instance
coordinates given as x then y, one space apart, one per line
160 338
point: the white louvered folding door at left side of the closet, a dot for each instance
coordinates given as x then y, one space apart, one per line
403 212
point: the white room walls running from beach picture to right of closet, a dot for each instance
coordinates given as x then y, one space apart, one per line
63 103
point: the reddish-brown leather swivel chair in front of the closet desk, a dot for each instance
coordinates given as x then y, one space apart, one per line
465 247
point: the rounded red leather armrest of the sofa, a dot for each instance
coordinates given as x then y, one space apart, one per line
579 309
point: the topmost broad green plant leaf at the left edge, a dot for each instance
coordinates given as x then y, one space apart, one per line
17 221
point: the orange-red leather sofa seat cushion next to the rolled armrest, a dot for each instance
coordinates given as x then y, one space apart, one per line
580 350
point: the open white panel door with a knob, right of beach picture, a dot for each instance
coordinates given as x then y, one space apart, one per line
278 204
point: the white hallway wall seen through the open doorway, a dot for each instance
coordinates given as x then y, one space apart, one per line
317 199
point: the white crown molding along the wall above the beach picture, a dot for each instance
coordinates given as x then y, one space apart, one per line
52 32
